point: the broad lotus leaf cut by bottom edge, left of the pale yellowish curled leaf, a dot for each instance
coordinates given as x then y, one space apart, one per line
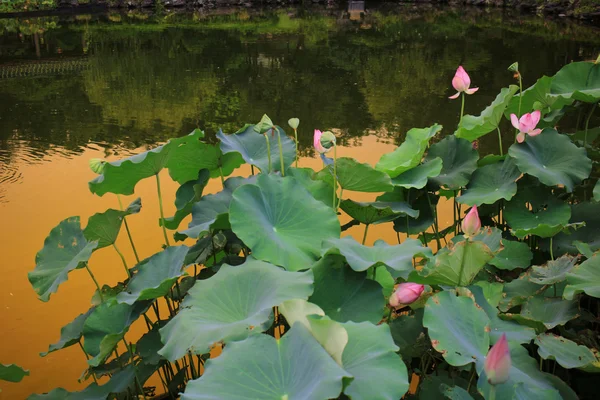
294 367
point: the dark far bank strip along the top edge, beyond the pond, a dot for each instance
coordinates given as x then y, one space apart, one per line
578 9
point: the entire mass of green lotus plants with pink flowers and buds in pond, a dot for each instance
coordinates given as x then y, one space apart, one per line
303 313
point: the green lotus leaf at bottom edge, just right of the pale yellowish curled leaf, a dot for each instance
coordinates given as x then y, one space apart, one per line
370 356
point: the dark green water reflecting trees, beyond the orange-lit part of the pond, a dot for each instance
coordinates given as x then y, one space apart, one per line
127 80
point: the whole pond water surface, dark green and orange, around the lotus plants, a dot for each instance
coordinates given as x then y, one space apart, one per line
77 87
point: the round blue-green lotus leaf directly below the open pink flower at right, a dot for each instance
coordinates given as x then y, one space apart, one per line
552 158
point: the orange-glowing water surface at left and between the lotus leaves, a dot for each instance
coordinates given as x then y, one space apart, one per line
55 190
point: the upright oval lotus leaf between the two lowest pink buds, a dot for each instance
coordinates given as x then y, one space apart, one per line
458 328
